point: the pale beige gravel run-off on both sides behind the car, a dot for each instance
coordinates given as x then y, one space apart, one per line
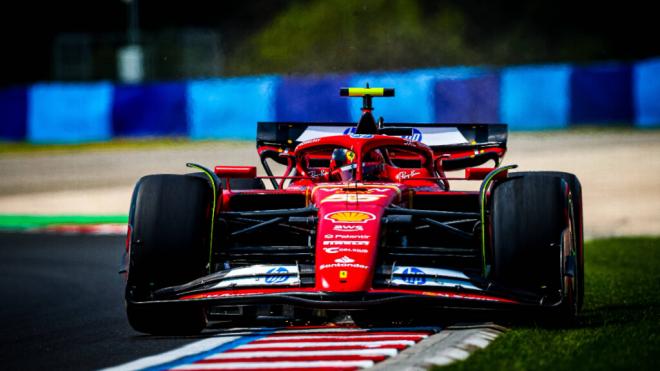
619 171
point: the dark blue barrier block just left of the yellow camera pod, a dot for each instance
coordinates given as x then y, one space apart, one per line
311 98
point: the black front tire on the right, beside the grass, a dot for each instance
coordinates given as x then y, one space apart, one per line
534 239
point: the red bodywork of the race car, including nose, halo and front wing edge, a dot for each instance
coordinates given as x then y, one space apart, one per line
349 212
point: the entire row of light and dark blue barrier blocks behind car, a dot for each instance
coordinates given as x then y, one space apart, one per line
526 97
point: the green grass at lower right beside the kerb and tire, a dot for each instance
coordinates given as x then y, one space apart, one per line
619 327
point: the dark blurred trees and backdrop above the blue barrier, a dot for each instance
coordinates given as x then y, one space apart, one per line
78 40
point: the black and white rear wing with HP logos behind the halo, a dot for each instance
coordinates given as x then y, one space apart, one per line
460 145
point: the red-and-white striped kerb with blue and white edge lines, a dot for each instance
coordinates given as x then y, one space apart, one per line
300 342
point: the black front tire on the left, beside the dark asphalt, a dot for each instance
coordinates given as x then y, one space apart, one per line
169 246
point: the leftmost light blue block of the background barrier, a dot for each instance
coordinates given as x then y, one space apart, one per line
69 113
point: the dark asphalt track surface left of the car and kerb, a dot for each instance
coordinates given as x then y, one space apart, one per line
62 305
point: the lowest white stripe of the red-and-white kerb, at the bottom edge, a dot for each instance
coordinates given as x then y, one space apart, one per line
276 365
